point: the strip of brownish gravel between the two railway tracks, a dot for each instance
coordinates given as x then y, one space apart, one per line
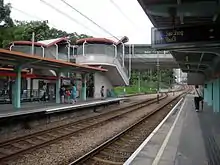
62 152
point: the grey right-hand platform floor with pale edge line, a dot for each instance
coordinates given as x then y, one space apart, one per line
184 137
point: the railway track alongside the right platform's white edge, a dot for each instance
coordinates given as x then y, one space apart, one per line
117 150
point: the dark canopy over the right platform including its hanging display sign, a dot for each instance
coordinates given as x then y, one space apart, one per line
189 29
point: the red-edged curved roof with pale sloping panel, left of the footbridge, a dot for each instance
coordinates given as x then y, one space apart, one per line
44 43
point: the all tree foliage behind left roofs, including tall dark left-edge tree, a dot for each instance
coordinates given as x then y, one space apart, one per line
22 30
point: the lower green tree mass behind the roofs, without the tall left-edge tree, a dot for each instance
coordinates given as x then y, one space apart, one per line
22 30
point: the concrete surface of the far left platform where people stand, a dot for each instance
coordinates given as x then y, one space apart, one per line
7 110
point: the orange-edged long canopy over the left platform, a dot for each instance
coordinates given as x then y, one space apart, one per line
27 60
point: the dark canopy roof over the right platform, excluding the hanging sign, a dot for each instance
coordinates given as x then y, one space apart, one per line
176 14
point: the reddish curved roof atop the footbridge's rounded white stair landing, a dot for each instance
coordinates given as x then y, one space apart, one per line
95 40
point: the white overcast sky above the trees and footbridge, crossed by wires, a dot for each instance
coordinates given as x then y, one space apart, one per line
135 24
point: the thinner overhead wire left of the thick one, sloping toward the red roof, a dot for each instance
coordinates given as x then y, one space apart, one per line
61 12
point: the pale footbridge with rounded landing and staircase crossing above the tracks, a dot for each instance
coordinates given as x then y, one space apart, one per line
120 58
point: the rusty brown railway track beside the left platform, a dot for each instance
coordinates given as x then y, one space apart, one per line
17 146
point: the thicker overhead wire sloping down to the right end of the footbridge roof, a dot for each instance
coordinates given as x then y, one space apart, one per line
90 19
